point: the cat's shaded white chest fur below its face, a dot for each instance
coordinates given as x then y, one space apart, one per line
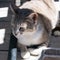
30 39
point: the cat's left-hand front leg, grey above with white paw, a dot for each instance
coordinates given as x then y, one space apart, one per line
24 52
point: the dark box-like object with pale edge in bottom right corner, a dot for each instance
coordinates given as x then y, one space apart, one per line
51 54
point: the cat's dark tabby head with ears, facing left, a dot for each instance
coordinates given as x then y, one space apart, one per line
24 20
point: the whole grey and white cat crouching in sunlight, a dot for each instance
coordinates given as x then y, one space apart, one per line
32 25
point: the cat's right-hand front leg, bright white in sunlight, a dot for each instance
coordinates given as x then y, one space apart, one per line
37 51
